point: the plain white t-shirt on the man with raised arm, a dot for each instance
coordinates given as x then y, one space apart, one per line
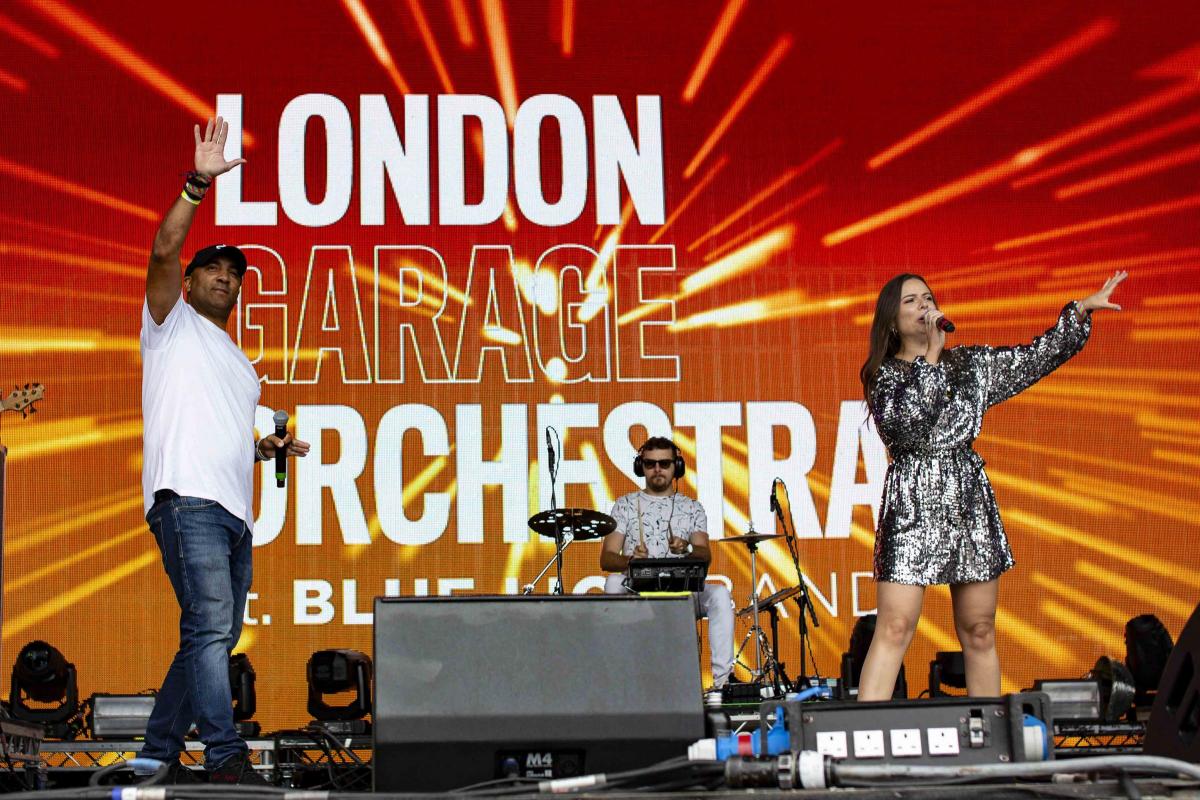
199 399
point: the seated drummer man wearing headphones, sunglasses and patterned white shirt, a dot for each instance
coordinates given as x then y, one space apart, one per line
658 522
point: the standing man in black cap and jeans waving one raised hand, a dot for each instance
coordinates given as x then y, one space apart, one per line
199 399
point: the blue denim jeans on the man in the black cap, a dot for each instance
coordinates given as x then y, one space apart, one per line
207 554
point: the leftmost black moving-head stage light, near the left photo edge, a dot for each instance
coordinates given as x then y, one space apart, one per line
43 675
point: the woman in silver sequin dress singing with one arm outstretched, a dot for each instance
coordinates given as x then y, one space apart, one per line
939 522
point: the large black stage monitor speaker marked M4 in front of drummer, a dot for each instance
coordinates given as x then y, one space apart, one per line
475 689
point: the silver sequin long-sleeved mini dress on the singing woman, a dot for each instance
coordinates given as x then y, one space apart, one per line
939 522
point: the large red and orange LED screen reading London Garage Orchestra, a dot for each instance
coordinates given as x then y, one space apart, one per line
1015 154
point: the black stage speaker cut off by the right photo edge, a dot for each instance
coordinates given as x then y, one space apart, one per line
1175 719
